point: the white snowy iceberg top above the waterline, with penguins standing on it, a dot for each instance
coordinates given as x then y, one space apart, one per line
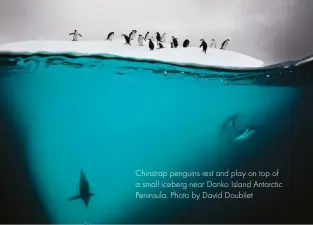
180 55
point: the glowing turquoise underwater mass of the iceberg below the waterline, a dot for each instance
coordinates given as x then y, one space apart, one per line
110 117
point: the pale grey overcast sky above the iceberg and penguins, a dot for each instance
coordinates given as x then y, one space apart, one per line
271 30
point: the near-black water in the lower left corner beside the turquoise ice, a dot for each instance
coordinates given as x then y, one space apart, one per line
19 202
